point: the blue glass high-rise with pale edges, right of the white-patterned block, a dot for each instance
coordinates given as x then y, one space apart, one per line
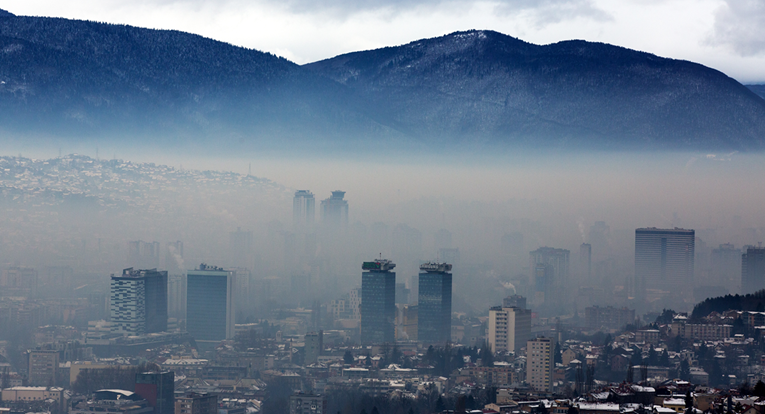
210 304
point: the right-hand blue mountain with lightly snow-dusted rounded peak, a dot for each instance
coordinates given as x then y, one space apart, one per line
483 85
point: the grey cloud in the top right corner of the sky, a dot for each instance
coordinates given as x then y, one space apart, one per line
740 25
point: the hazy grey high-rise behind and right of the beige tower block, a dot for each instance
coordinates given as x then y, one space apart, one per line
550 267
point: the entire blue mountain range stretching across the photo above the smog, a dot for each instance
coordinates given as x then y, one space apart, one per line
71 81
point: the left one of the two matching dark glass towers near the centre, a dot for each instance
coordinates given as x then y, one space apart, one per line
378 302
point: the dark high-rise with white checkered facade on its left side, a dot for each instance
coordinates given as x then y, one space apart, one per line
139 302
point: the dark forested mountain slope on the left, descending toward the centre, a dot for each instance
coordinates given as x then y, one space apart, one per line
76 79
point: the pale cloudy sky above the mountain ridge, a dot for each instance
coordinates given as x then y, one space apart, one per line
728 35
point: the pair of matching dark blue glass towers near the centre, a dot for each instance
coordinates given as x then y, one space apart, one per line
378 303
